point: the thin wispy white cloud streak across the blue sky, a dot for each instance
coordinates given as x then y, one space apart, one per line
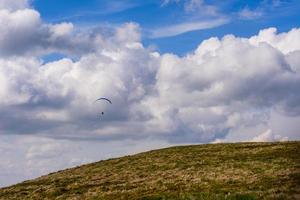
181 28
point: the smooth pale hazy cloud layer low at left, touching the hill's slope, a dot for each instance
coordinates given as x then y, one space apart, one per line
25 157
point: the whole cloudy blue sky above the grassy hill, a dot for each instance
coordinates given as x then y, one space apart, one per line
177 72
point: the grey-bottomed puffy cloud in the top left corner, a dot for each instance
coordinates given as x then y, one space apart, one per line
22 32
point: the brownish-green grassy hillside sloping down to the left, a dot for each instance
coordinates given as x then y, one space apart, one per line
213 171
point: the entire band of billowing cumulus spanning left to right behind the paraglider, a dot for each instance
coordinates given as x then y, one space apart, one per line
226 83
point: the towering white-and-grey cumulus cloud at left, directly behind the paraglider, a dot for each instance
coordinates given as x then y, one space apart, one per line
43 97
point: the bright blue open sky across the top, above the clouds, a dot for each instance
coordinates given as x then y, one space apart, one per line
241 18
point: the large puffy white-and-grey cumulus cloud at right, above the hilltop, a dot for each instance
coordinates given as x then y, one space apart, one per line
226 83
